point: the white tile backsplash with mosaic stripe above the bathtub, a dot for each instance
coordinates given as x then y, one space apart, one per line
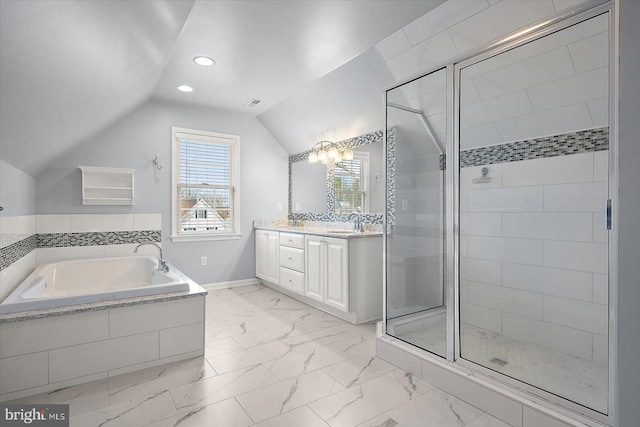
26 241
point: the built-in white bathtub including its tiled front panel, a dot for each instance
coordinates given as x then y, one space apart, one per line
73 322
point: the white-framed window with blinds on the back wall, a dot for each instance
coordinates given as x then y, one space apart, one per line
205 185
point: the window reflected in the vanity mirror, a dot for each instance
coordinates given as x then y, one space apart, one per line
351 182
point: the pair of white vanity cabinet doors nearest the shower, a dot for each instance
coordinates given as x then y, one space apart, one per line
327 271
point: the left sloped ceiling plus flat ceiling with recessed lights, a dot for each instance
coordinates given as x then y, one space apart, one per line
69 69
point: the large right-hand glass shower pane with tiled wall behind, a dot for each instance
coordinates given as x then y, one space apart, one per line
534 171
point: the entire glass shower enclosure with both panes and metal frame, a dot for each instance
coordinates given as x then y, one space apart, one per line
497 234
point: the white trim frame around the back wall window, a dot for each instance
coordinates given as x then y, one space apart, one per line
175 179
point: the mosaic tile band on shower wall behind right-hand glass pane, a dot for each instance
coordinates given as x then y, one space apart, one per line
584 141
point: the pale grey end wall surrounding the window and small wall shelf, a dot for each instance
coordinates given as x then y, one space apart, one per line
134 141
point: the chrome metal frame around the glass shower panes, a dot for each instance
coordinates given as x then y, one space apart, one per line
571 16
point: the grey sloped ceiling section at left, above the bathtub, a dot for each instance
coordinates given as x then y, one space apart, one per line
115 51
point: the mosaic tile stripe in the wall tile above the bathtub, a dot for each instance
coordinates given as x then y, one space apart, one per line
12 253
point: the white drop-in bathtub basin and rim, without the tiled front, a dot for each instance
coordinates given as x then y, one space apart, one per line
62 284
